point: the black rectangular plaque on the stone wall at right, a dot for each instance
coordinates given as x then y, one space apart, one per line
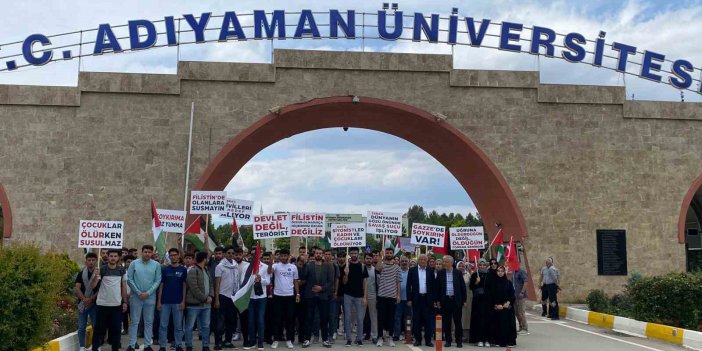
611 252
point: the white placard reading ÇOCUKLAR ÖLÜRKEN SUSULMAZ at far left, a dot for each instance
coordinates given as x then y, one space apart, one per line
100 234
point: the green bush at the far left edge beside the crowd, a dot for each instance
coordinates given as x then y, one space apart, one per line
30 286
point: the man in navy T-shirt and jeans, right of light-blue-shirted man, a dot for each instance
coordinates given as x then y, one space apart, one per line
171 300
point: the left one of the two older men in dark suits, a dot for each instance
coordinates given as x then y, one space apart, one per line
420 296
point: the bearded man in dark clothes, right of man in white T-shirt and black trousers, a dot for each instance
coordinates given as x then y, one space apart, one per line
318 278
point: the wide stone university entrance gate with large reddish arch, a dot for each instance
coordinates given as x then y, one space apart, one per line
554 165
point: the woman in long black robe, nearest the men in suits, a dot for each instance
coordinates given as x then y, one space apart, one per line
480 316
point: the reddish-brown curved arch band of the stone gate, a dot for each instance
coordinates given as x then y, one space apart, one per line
472 168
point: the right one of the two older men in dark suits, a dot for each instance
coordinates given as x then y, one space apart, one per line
450 294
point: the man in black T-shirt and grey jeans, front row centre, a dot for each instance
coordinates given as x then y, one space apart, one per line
354 280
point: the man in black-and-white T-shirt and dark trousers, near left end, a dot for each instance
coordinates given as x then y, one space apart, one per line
110 282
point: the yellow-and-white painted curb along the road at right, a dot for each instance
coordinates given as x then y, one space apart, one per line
688 338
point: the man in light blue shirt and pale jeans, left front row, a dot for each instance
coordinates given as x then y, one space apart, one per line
144 279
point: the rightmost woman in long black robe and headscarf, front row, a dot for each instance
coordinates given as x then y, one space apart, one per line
505 328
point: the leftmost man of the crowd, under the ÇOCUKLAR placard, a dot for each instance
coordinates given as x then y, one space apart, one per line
86 296
